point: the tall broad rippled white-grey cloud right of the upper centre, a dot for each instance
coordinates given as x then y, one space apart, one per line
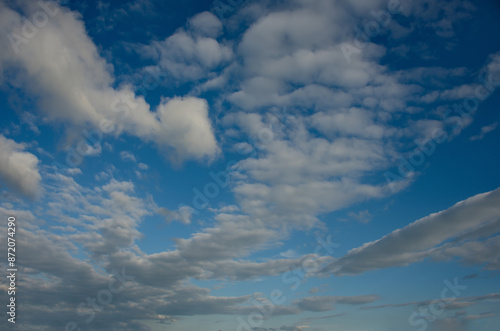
319 127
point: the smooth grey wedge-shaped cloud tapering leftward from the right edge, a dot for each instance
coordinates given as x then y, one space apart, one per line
420 239
